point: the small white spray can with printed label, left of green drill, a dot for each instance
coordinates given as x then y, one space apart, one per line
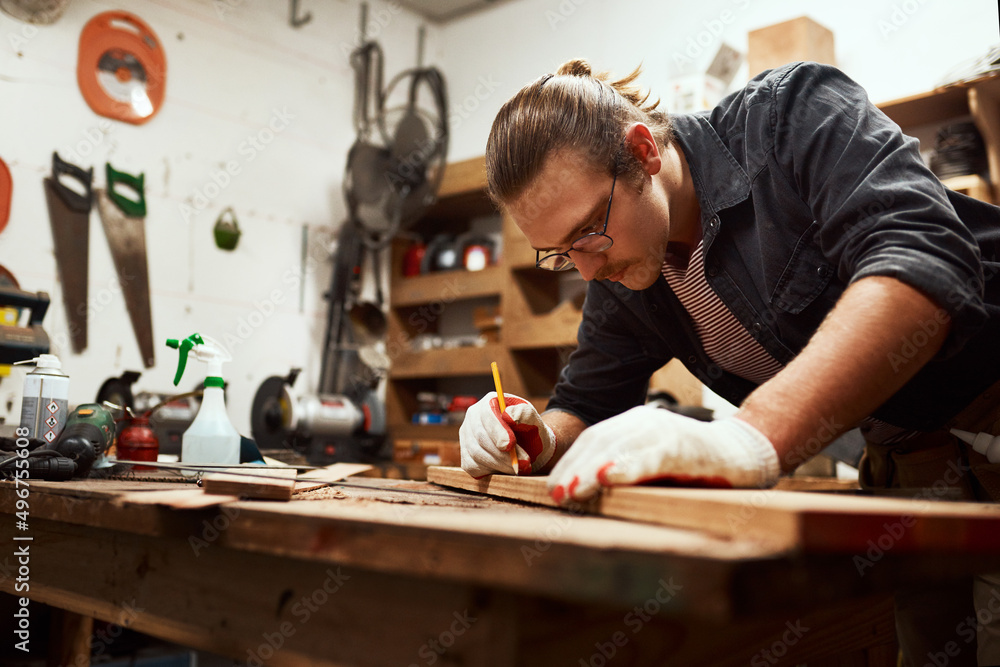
45 402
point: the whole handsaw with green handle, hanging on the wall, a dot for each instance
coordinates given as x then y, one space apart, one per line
124 227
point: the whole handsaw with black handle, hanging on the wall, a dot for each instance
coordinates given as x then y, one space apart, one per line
69 216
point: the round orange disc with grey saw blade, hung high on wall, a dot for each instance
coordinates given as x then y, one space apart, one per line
121 68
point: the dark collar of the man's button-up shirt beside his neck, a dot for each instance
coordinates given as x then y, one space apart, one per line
719 180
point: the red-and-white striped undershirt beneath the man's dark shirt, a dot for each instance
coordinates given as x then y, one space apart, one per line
729 344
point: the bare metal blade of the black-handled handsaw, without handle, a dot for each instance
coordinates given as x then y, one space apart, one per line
71 242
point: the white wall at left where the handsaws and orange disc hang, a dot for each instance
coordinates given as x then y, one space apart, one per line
232 67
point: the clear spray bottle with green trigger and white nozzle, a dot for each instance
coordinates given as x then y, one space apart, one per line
211 438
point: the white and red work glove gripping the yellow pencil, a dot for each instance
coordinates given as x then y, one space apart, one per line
486 437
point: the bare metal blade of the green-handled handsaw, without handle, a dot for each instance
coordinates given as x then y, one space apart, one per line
127 240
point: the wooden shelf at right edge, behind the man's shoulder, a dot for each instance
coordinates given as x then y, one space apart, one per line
978 99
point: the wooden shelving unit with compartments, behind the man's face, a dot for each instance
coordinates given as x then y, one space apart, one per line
539 322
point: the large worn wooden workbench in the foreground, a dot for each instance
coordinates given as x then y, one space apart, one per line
390 572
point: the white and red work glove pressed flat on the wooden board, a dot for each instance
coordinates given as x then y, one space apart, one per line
647 443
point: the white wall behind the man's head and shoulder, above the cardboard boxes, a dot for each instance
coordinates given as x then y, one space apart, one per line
892 47
